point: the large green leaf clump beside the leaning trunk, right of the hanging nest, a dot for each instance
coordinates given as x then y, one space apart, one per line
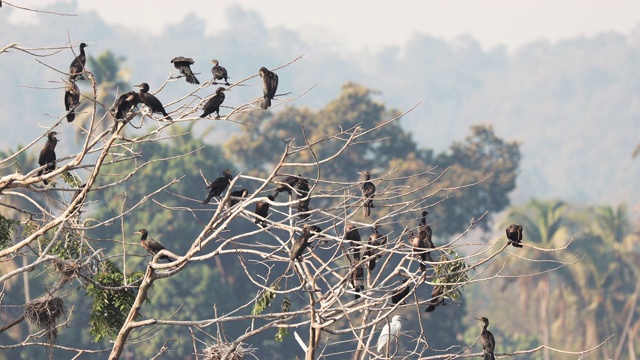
109 308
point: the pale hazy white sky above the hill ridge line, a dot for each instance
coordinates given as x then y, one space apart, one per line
376 23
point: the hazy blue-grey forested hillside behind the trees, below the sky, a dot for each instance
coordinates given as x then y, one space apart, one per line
573 104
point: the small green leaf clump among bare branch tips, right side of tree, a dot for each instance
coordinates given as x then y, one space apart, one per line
450 272
